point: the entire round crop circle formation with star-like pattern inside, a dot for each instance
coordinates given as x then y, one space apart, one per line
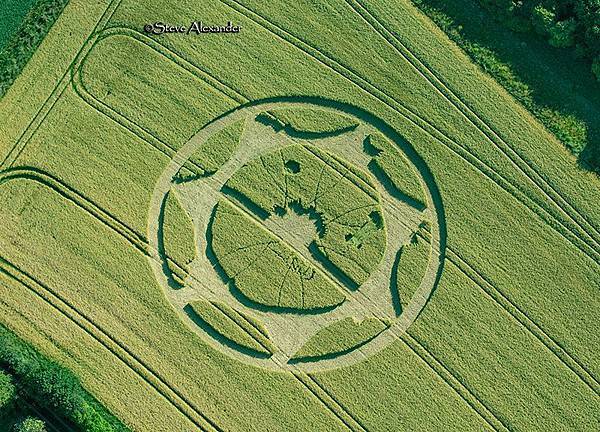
257 289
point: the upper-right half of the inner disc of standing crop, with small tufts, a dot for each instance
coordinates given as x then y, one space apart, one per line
346 209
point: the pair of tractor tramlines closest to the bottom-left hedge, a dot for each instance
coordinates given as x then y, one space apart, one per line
179 401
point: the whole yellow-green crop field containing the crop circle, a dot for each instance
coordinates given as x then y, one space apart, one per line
328 220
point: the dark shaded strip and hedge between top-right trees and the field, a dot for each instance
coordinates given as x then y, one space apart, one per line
548 80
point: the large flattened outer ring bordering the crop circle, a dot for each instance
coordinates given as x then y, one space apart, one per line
434 202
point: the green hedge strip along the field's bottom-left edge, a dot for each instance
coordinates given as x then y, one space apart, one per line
53 387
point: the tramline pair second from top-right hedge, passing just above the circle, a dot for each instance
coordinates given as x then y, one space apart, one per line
480 165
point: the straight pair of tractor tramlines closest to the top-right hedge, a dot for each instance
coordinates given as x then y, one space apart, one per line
525 167
